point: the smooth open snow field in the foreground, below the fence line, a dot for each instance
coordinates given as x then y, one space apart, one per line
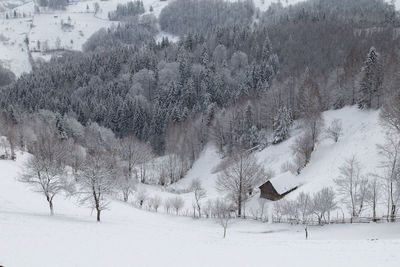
131 237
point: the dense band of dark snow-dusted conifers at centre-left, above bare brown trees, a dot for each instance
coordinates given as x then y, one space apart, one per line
138 89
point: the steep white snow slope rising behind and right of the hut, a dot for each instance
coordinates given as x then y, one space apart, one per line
362 132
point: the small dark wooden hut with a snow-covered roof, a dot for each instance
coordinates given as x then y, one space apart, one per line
279 186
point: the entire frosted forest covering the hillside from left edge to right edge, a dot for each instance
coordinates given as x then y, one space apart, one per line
244 82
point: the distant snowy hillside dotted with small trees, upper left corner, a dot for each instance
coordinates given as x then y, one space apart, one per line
45 32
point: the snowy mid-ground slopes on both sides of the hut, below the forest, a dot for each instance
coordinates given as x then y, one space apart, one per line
361 133
